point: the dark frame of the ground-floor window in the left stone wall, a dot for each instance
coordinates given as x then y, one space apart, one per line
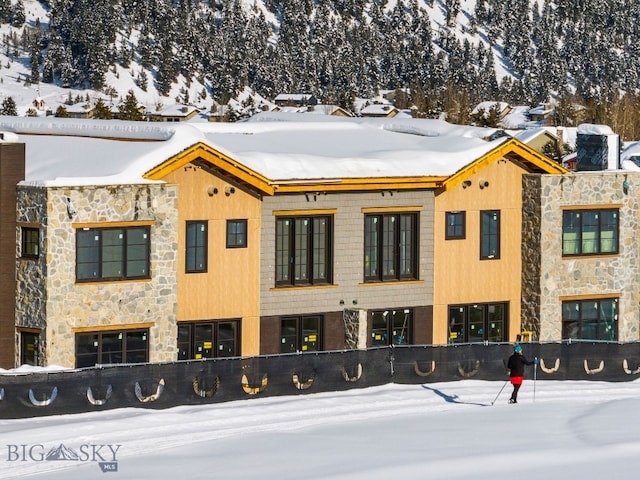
100 338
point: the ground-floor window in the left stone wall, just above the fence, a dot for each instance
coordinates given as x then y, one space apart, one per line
125 346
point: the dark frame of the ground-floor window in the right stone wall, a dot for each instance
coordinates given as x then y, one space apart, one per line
582 321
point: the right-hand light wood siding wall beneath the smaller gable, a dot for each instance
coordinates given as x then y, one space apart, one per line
461 277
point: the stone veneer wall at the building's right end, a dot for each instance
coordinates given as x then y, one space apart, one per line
618 275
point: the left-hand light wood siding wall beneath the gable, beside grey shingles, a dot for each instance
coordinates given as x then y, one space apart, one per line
230 287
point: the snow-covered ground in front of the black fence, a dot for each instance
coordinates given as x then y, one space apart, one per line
571 429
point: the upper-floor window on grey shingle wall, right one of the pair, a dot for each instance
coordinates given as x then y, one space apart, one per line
390 247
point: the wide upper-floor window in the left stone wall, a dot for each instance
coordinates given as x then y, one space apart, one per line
112 254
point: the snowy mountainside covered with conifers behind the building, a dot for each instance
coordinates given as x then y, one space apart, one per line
451 54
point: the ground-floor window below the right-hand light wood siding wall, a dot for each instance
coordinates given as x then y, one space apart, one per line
478 323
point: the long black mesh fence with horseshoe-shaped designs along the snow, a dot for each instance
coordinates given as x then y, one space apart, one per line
211 381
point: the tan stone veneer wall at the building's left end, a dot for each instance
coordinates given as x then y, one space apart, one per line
65 305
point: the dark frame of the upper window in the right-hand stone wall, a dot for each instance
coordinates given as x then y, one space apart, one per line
582 227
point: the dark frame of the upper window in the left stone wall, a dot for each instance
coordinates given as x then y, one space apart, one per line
121 253
